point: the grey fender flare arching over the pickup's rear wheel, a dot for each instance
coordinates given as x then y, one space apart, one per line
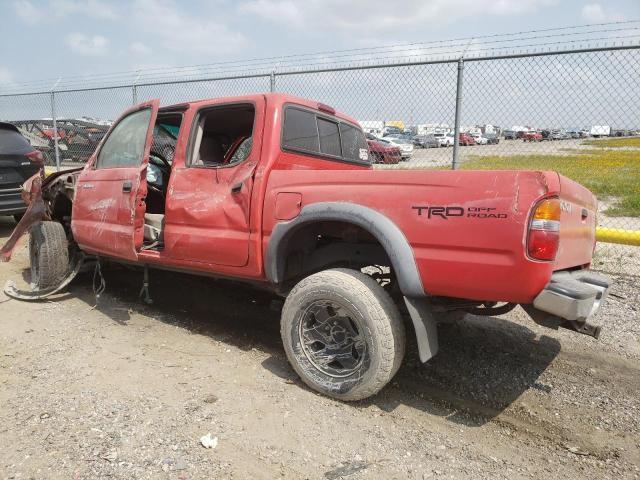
380 226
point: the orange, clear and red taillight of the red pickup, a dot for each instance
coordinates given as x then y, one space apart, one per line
544 230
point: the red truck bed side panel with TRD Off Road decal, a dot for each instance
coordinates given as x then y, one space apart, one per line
475 249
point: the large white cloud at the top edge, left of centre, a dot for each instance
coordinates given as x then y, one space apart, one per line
176 31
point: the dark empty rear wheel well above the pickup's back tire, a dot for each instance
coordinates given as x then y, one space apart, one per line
327 244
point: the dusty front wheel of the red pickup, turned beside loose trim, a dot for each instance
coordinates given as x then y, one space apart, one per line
49 254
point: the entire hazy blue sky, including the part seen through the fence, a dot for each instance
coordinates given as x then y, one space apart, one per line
45 40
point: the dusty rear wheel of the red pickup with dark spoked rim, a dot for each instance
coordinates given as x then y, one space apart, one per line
370 312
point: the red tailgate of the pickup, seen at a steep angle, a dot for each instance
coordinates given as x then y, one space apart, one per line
578 207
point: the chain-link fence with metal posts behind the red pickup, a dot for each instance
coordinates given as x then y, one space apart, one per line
577 112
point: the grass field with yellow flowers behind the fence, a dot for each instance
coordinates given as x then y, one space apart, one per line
604 172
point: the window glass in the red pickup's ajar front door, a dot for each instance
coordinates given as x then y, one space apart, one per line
125 145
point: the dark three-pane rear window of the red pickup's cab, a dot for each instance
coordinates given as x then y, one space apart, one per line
310 132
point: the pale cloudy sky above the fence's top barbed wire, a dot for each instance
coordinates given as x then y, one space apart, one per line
52 38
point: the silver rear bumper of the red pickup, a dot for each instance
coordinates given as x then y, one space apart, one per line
570 300
